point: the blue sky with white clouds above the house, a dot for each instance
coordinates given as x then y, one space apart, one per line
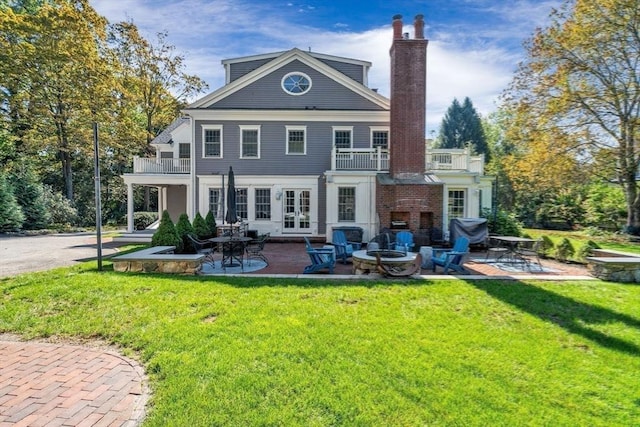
474 45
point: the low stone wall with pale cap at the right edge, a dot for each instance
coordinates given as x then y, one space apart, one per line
614 266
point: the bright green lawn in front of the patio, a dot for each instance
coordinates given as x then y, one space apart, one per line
261 351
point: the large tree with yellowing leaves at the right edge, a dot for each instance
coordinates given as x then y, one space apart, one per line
581 78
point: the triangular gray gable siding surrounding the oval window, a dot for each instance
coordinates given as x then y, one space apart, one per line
267 93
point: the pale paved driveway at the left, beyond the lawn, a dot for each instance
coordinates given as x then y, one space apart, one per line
24 254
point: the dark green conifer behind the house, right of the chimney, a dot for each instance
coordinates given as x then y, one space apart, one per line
462 126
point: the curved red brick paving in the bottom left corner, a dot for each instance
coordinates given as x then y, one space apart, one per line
44 384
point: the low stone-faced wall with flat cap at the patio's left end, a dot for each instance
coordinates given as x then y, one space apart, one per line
158 259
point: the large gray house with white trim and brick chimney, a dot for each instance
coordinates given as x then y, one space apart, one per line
313 147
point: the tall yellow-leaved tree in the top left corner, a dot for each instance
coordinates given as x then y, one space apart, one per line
55 78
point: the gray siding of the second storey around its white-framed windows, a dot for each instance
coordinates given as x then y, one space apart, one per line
273 158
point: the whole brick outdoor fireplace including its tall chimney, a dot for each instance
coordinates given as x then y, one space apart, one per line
408 197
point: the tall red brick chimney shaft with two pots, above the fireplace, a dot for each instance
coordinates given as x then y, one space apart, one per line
408 100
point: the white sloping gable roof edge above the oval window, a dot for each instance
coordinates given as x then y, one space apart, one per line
281 60
